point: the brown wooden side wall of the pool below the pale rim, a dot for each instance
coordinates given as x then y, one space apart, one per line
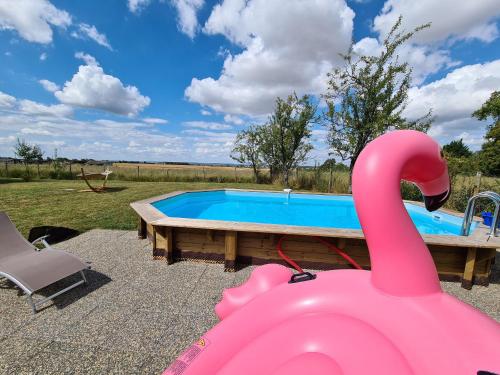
261 248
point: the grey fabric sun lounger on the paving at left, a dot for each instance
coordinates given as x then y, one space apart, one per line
32 269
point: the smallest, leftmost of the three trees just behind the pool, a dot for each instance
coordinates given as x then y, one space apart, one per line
247 150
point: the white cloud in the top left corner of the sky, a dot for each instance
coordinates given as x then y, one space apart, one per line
32 19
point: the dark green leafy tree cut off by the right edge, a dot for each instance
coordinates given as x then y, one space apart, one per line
490 150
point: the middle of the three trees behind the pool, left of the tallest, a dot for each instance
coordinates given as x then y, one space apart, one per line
285 139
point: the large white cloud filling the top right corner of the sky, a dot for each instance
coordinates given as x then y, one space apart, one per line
428 51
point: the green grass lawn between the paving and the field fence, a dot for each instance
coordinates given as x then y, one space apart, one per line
50 202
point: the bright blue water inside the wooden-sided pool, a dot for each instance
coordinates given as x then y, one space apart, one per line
300 209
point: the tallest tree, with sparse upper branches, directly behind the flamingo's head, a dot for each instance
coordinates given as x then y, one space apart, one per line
366 97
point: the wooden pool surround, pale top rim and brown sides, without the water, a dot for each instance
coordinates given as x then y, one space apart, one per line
458 258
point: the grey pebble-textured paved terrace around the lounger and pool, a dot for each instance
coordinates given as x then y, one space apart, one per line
135 316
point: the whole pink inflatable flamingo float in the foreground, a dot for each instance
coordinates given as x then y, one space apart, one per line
394 319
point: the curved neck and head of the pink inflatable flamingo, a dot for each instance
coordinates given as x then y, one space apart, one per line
400 261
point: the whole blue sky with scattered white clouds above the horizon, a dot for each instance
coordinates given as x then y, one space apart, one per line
175 80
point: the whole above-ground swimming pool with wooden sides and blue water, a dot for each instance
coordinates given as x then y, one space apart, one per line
237 227
